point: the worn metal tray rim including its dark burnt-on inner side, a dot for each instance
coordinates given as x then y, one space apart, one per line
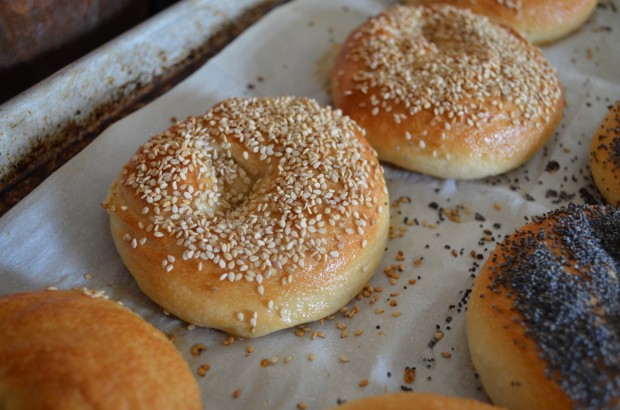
47 125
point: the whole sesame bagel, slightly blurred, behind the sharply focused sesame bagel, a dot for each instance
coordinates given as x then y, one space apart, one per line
445 92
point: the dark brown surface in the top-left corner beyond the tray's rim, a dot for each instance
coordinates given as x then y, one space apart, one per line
41 37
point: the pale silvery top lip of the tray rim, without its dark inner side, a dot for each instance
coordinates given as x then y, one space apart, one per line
111 74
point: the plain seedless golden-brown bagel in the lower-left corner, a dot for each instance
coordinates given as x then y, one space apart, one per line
70 350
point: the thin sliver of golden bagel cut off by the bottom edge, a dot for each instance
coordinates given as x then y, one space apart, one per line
403 401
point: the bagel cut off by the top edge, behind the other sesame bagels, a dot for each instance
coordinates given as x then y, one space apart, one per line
539 21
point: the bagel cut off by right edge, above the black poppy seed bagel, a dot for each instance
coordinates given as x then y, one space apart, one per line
605 156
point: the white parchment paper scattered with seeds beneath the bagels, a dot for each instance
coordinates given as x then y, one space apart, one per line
441 229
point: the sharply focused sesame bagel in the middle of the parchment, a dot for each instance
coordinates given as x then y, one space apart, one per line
261 214
